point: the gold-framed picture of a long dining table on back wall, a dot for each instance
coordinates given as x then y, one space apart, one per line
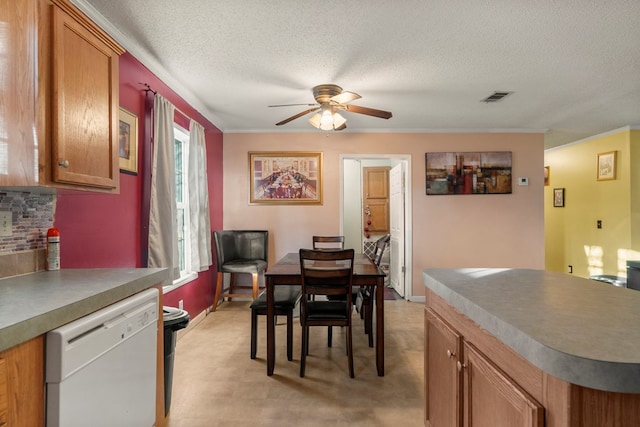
285 178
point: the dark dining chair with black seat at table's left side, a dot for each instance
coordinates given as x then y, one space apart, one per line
285 299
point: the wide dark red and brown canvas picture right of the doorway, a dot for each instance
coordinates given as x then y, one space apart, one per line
483 172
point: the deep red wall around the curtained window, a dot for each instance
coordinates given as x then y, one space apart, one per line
103 230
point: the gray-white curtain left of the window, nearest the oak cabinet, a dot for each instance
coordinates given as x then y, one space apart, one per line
163 234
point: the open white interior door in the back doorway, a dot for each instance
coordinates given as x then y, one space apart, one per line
396 255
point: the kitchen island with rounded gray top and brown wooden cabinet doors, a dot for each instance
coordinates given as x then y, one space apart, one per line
530 347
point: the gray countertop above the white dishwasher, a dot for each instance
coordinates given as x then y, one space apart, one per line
33 304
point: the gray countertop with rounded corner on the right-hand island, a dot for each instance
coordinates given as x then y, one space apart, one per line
582 331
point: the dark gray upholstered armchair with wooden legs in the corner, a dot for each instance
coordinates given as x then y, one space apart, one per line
240 252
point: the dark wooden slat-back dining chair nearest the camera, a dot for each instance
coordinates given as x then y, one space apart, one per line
323 274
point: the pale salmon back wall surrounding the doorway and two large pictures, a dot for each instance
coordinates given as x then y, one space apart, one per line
447 231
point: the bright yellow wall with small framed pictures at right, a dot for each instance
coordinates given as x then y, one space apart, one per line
571 234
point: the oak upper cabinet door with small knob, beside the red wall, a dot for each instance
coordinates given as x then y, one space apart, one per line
84 105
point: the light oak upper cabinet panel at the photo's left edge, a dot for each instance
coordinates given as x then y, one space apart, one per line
18 63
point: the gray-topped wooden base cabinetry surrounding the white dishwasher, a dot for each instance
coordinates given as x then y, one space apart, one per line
33 304
